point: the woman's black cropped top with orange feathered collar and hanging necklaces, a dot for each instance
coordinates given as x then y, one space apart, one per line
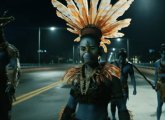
99 86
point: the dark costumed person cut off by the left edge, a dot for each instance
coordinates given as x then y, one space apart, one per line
9 56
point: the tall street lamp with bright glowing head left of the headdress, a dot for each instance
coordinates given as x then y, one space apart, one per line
39 43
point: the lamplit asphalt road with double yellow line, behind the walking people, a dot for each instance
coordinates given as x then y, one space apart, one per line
40 96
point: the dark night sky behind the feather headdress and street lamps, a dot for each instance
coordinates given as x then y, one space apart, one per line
145 32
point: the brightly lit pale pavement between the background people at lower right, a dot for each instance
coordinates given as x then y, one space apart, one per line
144 104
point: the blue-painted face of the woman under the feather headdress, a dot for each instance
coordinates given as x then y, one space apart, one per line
89 50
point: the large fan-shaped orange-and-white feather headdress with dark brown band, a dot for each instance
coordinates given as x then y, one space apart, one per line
100 20
